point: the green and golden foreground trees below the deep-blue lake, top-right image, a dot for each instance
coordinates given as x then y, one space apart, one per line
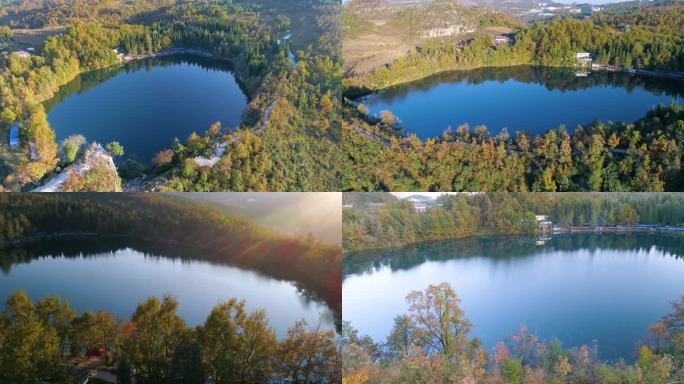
642 156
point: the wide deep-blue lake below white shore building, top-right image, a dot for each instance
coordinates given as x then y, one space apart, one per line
531 99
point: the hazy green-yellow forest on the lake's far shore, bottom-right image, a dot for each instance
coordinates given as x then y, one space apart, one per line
386 222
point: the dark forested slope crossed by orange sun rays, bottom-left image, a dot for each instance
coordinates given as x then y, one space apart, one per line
311 265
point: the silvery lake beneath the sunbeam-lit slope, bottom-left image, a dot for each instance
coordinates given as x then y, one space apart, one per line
117 274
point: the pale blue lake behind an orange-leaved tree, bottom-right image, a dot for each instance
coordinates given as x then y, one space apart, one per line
578 288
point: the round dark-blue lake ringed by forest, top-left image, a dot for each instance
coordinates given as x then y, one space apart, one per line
145 104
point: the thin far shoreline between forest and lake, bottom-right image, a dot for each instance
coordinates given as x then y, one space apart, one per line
564 230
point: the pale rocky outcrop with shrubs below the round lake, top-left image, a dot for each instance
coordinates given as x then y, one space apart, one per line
94 171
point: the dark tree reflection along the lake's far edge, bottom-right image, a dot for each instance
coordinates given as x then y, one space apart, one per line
506 248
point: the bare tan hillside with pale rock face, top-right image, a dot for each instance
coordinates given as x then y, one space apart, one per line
375 32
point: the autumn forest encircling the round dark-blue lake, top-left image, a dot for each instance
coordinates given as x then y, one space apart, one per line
288 138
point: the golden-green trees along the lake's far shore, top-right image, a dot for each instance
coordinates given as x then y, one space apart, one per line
649 37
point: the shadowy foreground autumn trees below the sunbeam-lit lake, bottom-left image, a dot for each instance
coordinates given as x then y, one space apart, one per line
44 342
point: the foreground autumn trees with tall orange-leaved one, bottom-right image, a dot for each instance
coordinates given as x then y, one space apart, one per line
431 343
